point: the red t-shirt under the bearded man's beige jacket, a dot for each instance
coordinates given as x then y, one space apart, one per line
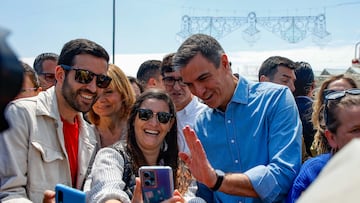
71 137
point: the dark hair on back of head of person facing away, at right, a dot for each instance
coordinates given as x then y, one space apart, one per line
304 78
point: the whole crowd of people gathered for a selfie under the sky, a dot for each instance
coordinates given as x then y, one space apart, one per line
80 121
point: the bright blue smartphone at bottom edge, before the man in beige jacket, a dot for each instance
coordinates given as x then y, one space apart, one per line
66 194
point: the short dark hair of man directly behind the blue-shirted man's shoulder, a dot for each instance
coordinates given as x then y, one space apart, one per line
269 67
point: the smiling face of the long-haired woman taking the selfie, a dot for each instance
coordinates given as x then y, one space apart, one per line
150 134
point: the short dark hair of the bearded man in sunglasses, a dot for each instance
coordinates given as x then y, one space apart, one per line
81 46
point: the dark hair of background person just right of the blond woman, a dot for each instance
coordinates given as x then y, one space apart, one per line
148 69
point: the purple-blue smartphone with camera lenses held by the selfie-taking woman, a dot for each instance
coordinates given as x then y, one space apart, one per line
157 183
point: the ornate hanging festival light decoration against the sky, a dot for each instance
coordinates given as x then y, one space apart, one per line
292 29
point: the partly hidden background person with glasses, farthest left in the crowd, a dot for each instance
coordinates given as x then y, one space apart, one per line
31 85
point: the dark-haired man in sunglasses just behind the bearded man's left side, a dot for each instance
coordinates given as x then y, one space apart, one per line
44 65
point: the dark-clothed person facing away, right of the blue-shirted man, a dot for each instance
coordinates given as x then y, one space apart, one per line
304 87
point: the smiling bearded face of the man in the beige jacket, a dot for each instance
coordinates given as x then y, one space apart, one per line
80 97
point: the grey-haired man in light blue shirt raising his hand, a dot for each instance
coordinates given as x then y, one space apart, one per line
247 147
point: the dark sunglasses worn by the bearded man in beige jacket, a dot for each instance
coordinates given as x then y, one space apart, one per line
85 77
